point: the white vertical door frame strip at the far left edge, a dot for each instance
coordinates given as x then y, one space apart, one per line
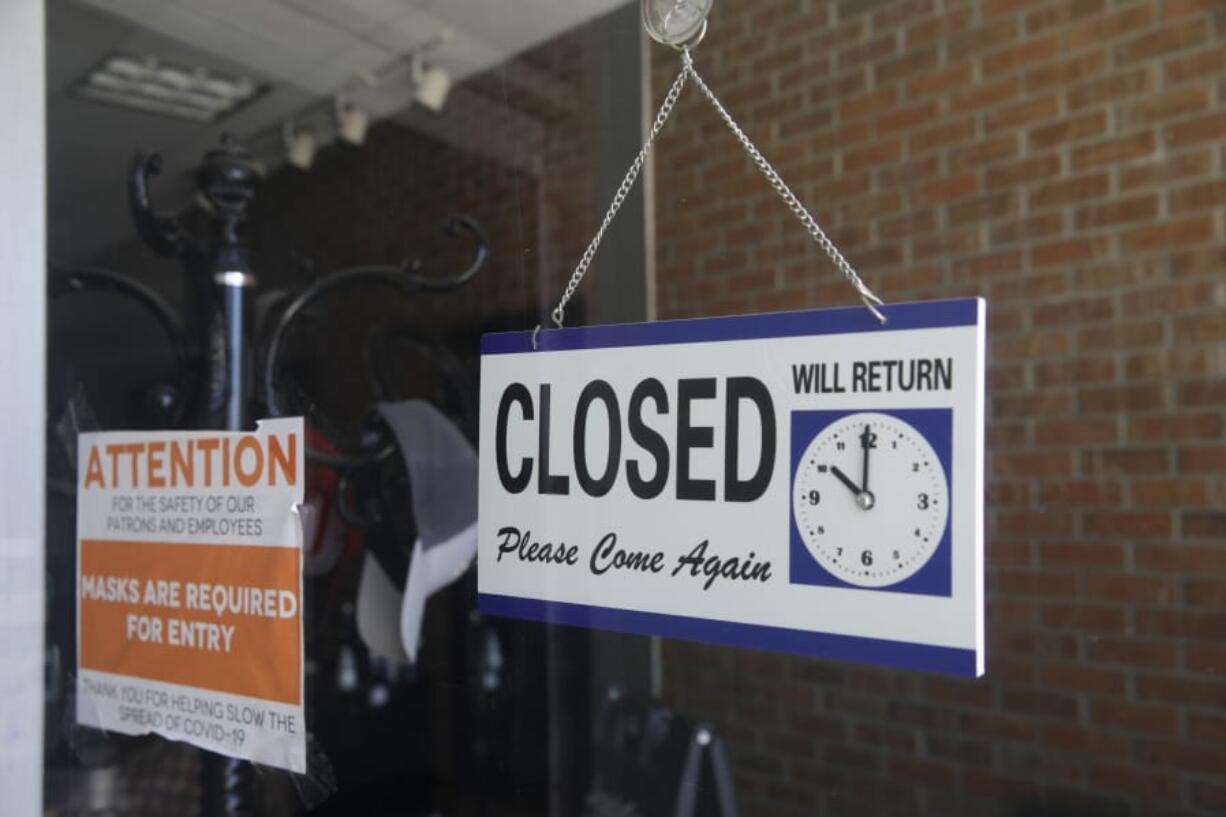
23 410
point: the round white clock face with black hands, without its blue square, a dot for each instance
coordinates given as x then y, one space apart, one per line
870 500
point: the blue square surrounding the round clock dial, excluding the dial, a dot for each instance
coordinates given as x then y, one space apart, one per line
936 577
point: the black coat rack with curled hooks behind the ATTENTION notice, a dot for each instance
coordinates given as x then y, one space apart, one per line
218 362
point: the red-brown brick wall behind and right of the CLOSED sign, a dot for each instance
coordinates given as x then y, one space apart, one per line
1066 160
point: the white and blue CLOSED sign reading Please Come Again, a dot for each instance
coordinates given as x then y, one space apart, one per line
807 483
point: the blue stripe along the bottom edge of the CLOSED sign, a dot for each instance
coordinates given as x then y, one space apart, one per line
851 648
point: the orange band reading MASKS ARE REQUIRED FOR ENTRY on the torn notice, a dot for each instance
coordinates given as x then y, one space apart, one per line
223 618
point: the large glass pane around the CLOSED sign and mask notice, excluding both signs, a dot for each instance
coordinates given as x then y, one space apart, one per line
314 209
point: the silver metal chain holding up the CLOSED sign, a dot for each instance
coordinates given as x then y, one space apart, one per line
773 177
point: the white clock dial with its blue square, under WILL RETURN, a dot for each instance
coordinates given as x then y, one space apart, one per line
871 499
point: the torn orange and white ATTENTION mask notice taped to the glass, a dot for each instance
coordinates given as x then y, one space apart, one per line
189 588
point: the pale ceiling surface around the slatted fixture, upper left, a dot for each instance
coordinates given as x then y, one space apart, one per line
306 51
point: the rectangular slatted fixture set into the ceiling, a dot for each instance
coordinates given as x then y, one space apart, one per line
156 88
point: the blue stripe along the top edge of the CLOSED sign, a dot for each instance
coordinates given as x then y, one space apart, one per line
929 315
